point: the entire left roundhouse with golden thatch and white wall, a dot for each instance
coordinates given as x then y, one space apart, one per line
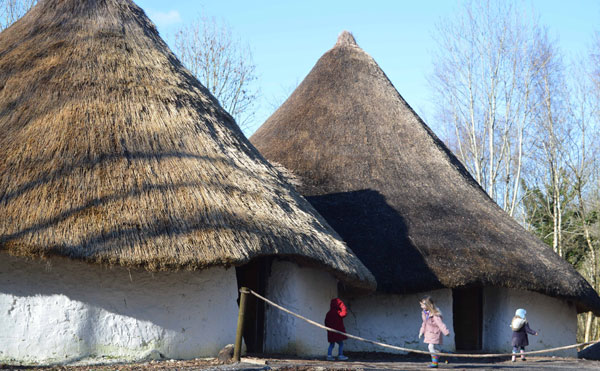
145 200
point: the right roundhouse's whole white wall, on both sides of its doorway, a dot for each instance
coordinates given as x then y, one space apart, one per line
395 320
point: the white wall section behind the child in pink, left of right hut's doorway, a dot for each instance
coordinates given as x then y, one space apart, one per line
394 320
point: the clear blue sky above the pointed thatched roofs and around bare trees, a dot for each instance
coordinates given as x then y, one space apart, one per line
288 37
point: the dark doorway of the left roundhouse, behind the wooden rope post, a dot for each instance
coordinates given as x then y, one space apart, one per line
254 276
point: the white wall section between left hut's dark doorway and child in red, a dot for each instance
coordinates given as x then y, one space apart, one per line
305 291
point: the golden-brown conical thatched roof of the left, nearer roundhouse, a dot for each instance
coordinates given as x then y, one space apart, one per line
111 152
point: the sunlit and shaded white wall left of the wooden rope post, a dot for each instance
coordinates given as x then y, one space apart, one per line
59 310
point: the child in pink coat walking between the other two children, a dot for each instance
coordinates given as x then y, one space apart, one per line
433 327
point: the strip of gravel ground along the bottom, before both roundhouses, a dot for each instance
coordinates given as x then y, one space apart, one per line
356 362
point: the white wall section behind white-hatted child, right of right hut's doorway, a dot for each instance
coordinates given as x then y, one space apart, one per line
554 319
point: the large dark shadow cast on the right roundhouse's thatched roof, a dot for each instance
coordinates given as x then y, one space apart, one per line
378 235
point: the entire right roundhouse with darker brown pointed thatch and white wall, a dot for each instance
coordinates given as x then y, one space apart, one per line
414 216
